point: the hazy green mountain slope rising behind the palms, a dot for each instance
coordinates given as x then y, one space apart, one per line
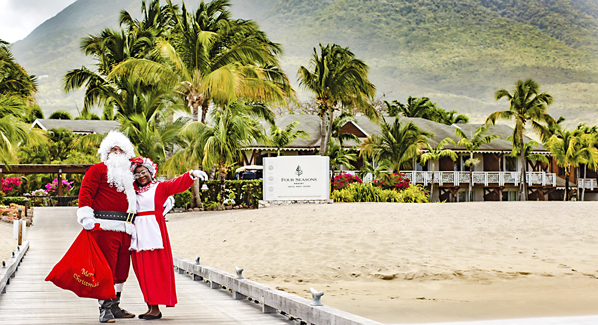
455 52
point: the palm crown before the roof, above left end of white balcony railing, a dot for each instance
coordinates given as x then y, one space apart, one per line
398 143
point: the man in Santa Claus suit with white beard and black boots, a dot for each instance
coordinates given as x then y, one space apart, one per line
107 205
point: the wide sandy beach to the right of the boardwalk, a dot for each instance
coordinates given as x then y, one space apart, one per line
411 263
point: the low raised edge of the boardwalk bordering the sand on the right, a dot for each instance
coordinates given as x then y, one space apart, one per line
272 300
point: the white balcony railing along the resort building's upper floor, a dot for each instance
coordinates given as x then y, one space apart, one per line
499 178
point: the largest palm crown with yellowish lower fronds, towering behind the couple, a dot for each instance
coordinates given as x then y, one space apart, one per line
213 59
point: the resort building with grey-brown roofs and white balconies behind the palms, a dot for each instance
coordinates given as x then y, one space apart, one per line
495 178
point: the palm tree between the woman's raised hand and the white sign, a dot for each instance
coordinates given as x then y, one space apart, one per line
230 130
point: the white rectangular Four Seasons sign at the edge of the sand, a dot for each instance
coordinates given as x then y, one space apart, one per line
296 178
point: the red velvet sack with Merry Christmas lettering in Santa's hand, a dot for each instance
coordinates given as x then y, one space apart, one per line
84 270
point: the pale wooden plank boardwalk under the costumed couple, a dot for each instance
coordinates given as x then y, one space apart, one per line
31 300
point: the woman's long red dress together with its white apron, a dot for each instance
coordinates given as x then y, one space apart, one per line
150 246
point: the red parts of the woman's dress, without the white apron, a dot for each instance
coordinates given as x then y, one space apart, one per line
154 268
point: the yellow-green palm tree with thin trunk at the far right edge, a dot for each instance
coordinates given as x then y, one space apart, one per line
571 148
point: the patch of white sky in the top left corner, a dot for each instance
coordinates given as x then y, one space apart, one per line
18 18
